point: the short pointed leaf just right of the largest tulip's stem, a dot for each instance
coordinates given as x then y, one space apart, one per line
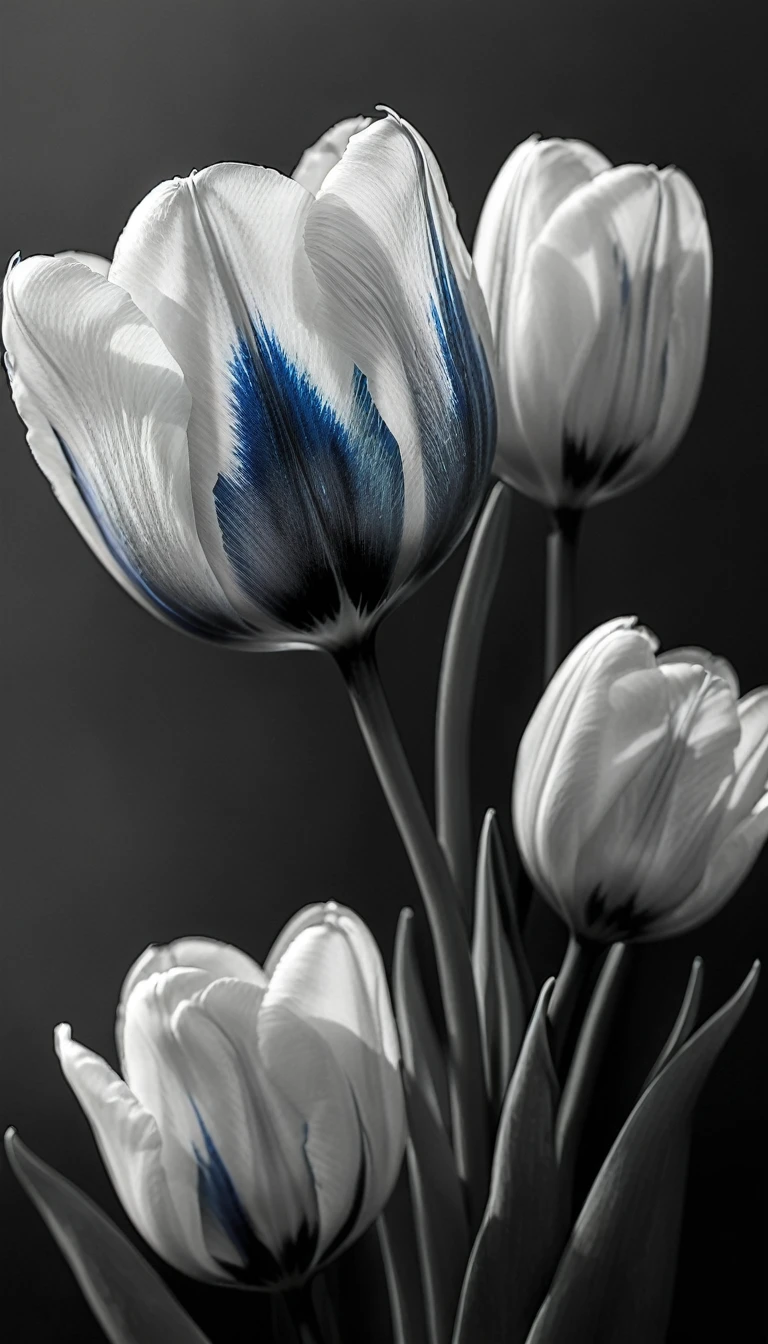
502 978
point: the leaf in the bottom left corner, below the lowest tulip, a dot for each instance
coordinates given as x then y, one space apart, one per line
127 1296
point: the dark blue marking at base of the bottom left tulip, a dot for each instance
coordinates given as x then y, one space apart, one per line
220 1201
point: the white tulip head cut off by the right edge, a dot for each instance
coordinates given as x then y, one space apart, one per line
641 788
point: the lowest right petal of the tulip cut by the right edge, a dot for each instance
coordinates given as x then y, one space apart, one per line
726 873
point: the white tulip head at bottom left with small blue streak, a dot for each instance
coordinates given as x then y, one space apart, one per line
262 1123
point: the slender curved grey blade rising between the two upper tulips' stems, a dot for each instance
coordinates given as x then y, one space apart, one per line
457 690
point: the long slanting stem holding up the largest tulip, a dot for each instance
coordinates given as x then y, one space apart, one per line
443 908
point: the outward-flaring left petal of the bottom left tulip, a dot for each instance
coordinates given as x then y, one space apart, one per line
132 1151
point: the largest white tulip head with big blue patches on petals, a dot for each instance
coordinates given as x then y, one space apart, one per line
275 416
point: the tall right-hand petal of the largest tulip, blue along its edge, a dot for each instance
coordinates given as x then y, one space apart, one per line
399 295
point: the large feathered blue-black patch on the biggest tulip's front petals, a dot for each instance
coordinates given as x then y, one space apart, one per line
313 507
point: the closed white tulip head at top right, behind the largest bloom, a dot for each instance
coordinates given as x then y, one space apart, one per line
598 283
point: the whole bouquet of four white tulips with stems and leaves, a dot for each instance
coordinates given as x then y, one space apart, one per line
272 416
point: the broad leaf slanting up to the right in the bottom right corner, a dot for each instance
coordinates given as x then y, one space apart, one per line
614 1284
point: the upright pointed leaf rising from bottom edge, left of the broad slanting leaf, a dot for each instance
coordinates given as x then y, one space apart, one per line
525 1225
